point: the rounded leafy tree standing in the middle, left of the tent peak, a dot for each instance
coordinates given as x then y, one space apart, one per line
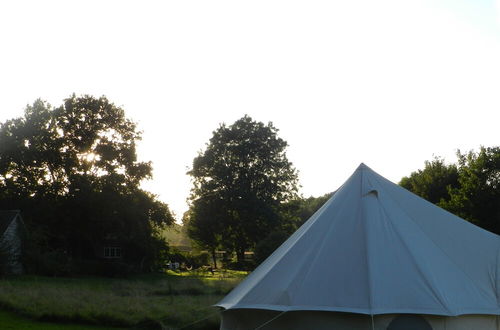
245 175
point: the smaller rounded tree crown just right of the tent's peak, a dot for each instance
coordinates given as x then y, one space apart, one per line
433 182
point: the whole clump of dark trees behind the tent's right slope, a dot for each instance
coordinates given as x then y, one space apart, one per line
470 188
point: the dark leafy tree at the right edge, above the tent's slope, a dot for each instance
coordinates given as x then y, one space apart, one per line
477 198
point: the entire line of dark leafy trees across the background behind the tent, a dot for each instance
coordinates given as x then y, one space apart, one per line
74 173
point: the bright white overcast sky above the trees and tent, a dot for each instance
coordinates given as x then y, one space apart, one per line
390 83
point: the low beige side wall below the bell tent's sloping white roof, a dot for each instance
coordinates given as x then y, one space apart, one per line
250 319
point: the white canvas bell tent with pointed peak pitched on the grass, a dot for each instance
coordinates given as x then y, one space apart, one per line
375 256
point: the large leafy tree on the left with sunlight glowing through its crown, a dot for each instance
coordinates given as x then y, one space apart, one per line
74 172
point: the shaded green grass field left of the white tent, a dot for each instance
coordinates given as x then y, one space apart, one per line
172 300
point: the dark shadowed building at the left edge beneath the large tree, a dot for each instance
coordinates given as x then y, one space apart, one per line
12 230
